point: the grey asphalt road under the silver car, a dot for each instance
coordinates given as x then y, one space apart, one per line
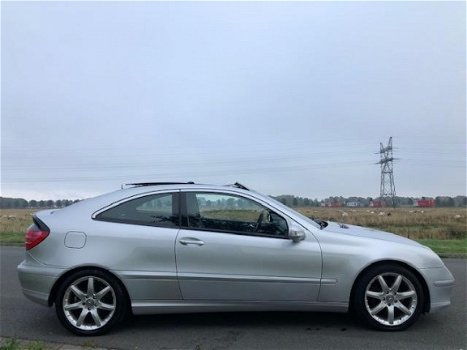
446 329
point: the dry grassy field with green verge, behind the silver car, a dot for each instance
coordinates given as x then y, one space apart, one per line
442 229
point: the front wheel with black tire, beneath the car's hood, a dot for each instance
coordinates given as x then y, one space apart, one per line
399 293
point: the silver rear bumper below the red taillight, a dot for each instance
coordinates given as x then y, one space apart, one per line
37 281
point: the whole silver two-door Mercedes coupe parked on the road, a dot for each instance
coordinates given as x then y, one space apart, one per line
153 248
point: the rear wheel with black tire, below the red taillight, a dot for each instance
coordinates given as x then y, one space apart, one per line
90 302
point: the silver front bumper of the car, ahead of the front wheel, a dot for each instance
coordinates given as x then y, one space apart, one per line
440 283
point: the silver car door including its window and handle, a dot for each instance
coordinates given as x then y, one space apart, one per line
233 248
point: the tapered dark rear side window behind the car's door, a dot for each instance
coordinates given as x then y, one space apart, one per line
153 210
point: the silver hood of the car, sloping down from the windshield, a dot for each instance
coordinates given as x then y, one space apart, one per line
359 231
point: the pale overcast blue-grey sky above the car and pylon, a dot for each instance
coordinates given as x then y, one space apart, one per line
283 97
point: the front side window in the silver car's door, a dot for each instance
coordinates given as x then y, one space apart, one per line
223 212
